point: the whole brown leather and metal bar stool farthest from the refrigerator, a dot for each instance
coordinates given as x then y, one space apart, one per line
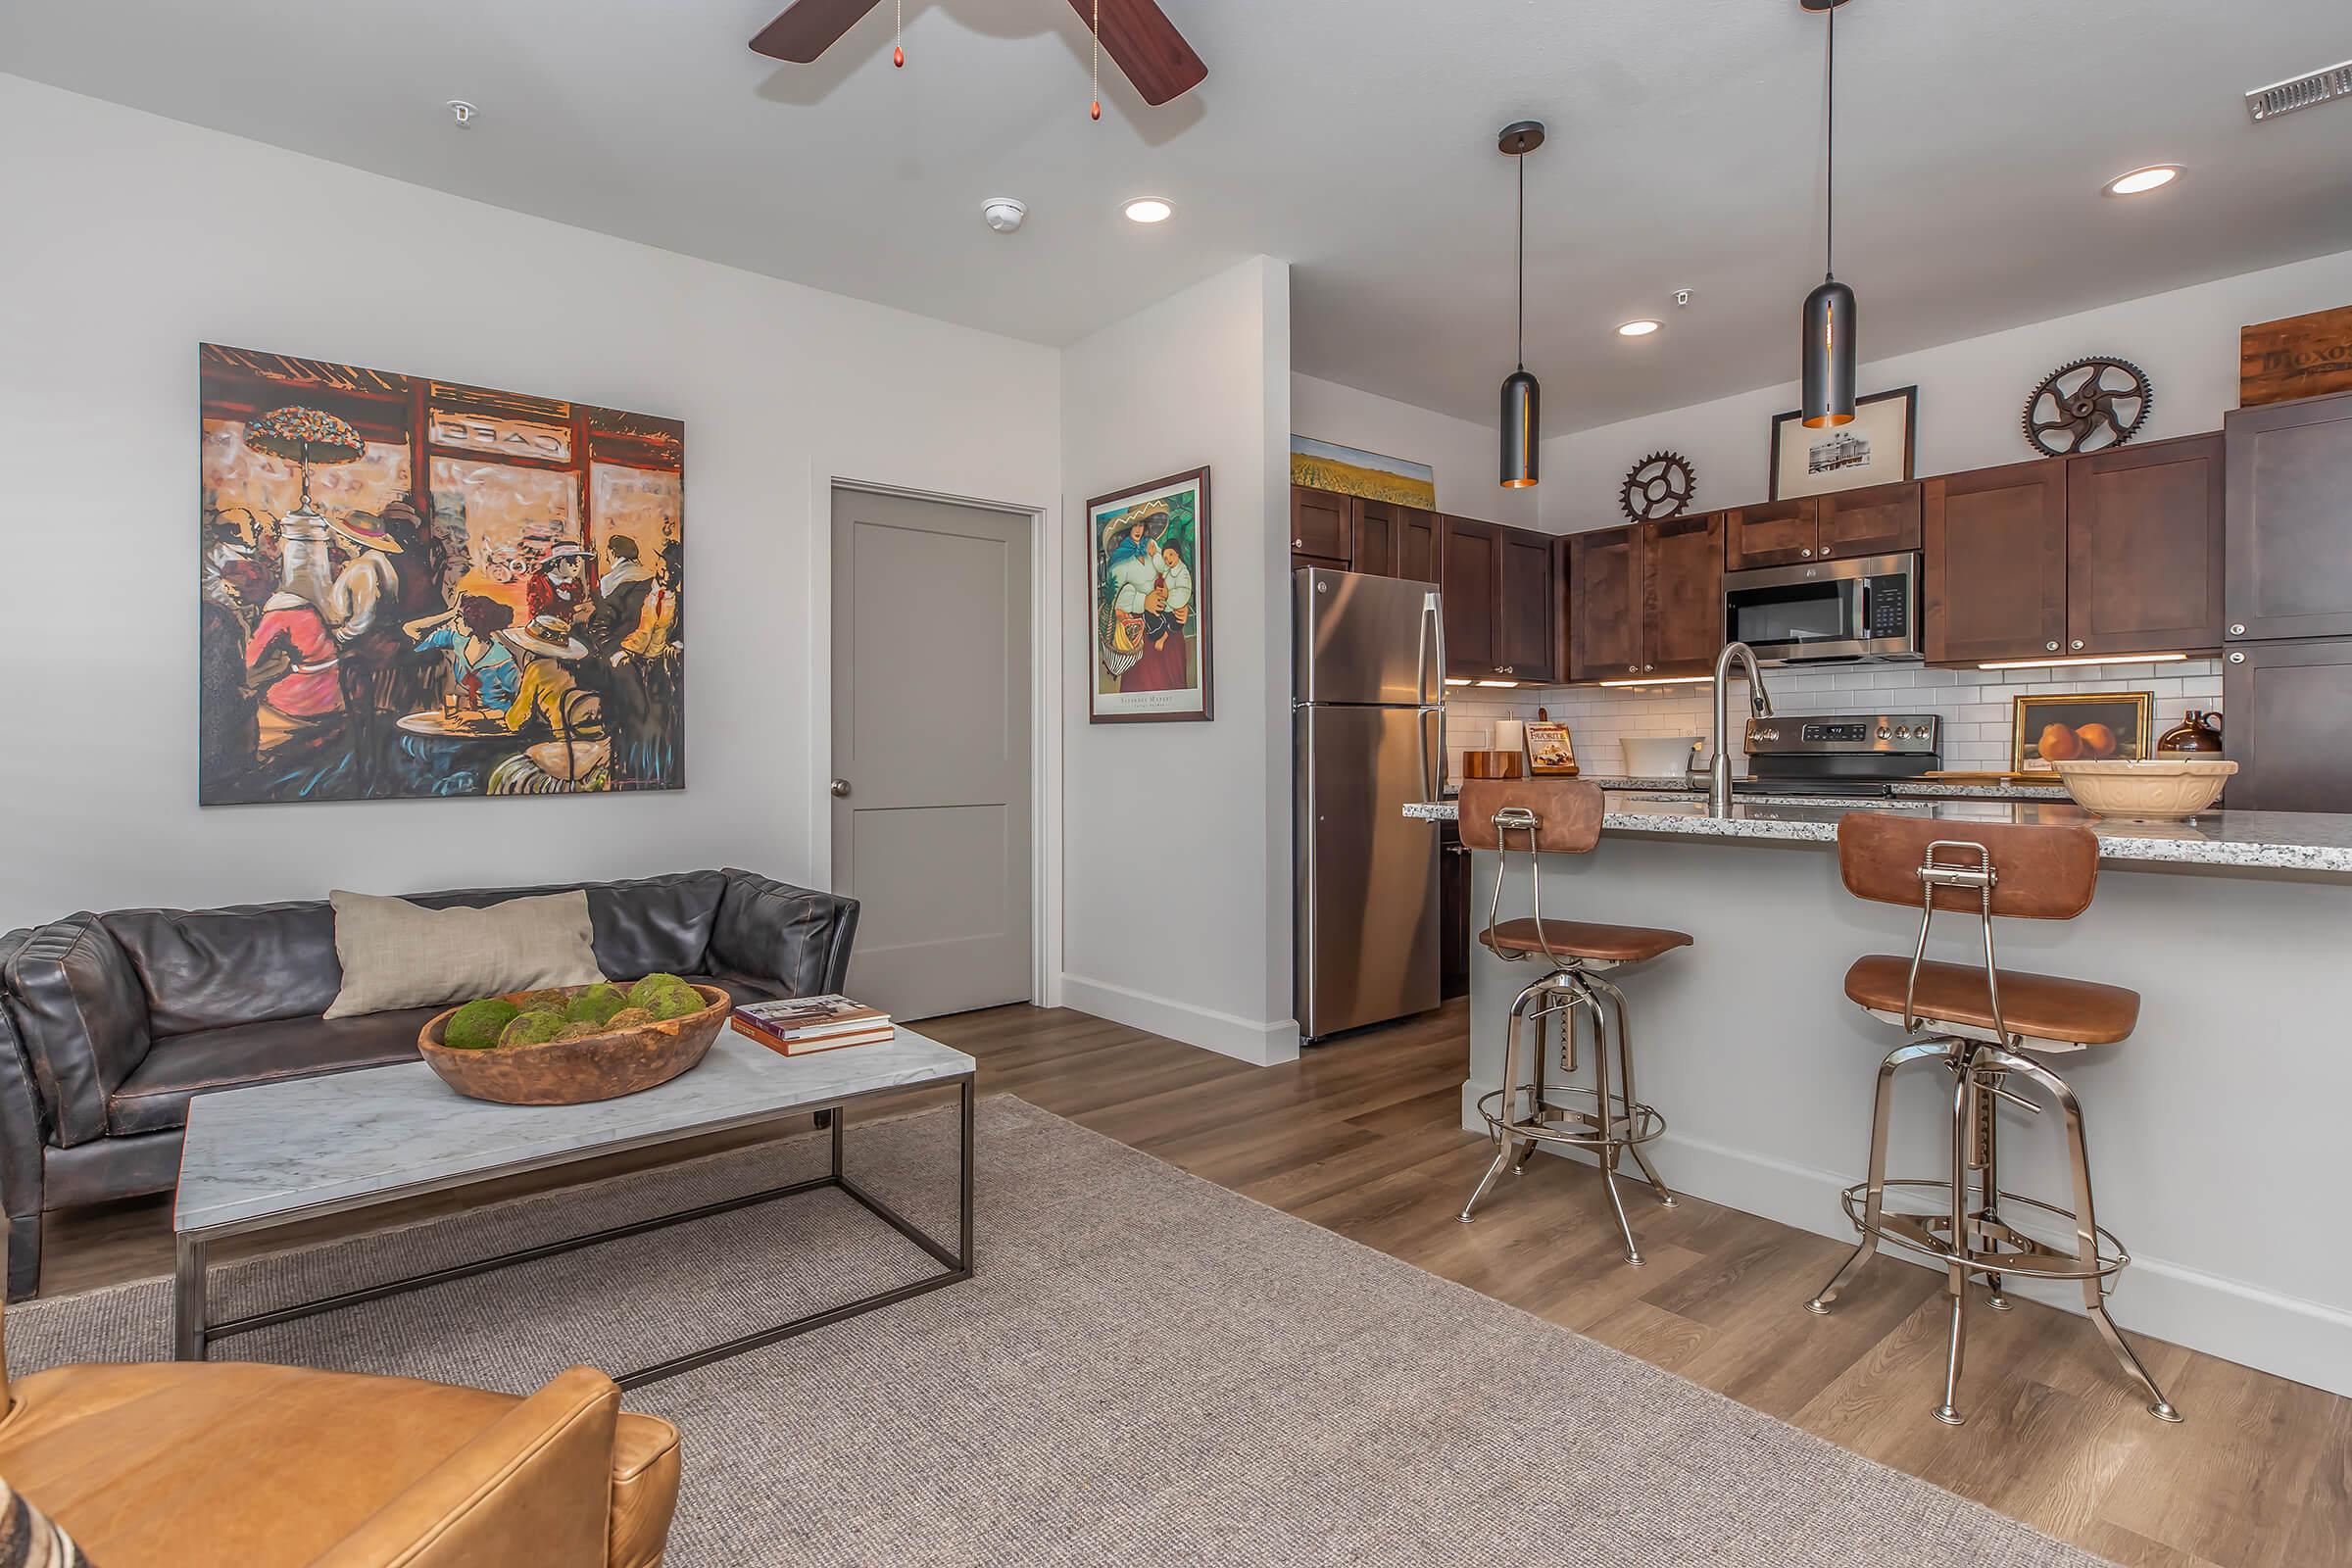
1975 1024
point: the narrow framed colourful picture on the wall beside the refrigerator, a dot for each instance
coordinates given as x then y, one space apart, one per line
1149 601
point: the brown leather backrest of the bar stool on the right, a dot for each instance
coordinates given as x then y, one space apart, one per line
2038 871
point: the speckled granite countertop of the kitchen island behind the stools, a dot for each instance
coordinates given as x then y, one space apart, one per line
2245 840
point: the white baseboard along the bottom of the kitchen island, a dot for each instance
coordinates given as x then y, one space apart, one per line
2224 1318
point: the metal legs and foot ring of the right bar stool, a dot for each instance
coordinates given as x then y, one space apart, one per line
1975 1240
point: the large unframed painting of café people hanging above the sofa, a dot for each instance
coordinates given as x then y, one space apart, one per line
420 589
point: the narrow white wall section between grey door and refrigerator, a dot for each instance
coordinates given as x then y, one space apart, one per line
1177 838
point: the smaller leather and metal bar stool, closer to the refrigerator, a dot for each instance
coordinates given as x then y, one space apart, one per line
1561 817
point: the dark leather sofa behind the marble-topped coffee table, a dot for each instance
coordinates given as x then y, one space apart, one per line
109 1024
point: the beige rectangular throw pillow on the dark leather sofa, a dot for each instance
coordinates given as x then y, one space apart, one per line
399 953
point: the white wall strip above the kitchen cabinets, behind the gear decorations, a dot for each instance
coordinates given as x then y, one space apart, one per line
1972 394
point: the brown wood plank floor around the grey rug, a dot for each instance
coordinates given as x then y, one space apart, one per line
1363 1139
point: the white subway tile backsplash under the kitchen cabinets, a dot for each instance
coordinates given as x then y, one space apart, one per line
1972 704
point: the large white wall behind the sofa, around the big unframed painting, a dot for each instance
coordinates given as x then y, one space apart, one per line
135 239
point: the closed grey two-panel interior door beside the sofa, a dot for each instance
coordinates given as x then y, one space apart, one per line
933 751
